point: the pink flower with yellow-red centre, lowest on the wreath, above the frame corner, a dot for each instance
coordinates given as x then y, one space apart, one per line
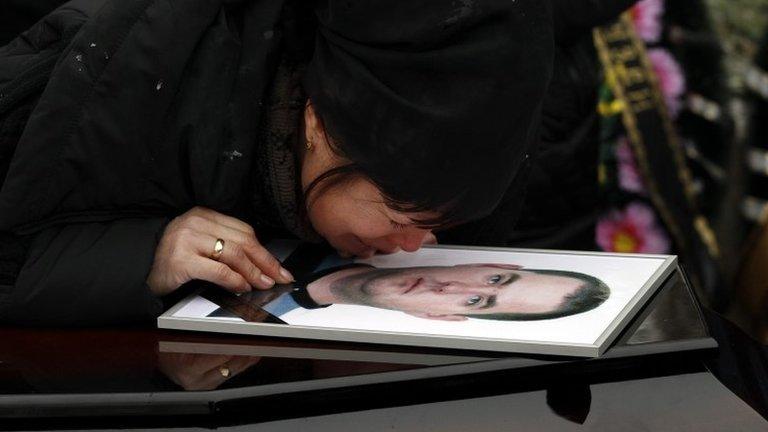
633 230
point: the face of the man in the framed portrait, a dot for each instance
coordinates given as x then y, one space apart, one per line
450 293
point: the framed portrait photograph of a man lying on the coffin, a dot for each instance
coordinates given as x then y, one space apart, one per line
490 299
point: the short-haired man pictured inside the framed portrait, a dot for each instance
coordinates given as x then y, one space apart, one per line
488 291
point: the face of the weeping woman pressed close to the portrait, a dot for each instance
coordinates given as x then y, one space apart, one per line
352 216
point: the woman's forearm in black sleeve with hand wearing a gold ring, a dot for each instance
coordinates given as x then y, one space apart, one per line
115 272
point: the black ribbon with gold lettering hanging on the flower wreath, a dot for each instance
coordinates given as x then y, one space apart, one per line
652 137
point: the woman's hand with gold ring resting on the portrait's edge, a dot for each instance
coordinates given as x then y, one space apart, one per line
185 253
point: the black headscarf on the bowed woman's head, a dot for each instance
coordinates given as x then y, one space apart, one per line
441 93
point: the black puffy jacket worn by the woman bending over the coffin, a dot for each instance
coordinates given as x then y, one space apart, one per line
158 96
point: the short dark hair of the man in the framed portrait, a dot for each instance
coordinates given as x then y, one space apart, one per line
587 297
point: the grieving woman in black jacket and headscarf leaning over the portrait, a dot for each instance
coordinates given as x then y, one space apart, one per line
155 143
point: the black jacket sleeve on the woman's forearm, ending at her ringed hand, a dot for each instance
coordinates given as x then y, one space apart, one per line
86 274
